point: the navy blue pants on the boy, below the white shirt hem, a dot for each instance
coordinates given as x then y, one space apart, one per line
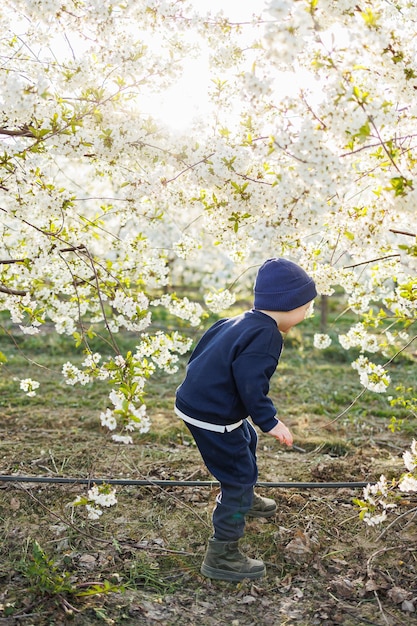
231 458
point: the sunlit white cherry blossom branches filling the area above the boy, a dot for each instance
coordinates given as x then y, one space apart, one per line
307 149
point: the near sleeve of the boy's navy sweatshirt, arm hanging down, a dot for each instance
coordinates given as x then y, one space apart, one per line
252 373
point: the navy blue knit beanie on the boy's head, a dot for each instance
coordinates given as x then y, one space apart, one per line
282 285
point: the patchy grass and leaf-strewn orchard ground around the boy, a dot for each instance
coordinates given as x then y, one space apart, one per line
140 562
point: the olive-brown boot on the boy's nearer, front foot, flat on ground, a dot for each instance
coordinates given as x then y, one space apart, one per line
223 561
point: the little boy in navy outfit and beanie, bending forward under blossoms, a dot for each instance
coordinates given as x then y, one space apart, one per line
227 380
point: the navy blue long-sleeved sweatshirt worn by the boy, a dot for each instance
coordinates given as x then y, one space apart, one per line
228 374
